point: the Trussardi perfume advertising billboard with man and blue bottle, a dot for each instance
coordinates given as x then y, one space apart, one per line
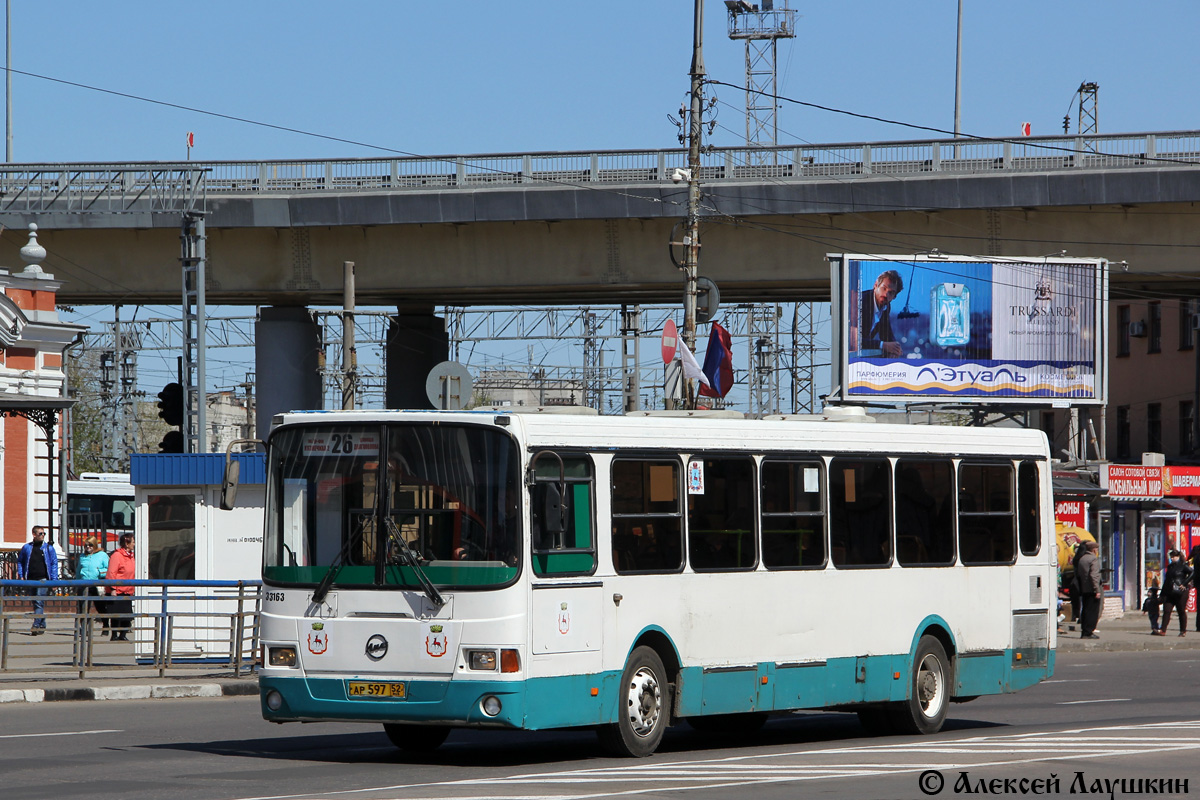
1004 332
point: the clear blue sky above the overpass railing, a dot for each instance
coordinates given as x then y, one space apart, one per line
484 76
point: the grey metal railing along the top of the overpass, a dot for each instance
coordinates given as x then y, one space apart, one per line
167 185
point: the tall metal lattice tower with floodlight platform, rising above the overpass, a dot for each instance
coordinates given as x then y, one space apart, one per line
761 27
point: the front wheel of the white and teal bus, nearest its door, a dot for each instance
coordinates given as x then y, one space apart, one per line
644 707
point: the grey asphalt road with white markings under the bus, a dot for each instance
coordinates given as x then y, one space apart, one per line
1109 717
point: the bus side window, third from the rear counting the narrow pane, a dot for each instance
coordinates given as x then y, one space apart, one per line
925 513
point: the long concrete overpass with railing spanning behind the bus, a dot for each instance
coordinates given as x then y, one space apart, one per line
593 227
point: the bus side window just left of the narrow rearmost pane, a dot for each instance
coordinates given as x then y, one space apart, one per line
987 531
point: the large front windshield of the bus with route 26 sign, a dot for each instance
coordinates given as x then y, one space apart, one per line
377 507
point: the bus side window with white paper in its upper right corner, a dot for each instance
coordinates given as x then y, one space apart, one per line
793 515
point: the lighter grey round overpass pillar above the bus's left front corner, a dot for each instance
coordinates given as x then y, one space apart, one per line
287 374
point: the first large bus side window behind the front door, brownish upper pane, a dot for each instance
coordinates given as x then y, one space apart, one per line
647 521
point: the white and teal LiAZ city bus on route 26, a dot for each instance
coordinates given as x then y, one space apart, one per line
433 570
